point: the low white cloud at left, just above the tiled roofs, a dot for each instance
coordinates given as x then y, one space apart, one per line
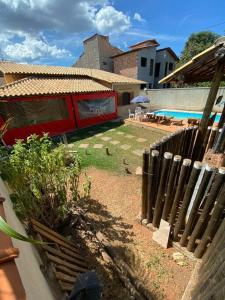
33 48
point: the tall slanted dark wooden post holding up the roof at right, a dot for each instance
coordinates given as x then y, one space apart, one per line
217 77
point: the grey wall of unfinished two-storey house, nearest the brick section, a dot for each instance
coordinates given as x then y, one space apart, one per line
144 72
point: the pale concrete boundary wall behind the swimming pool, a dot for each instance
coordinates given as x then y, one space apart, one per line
192 99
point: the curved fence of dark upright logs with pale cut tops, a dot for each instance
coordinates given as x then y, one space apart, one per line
188 194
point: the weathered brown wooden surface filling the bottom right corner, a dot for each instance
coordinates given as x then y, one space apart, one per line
211 276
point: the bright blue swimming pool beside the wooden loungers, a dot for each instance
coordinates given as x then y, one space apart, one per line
182 114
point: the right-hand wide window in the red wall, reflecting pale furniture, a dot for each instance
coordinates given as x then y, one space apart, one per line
96 107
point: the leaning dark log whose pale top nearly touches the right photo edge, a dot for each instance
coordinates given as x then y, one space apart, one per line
218 182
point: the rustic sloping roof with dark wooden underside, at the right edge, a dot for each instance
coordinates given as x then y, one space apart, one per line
201 67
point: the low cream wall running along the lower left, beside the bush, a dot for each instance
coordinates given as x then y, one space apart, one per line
28 262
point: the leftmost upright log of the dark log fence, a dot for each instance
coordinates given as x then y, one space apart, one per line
144 184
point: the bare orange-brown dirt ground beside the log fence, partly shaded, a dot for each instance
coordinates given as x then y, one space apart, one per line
113 208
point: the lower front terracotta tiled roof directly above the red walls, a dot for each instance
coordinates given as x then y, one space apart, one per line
47 86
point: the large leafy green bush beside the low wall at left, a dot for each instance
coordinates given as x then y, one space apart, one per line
44 180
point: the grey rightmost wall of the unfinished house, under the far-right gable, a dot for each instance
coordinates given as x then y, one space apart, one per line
162 57
